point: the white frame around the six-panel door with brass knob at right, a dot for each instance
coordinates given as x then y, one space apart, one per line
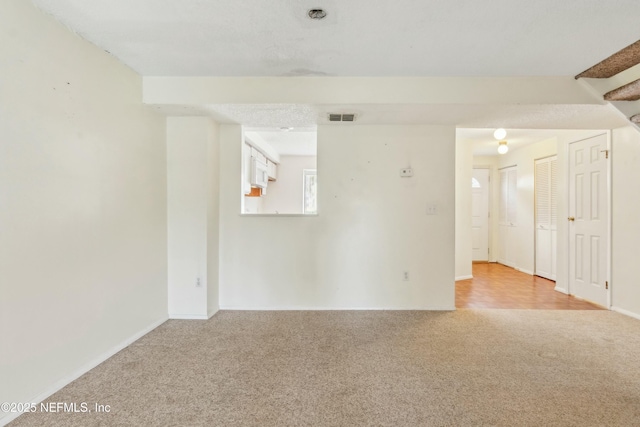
608 257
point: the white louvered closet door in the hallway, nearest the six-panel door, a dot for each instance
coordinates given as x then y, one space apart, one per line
546 216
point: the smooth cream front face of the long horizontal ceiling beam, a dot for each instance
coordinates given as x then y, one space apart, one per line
366 90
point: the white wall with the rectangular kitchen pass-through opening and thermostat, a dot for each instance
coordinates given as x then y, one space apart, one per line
372 225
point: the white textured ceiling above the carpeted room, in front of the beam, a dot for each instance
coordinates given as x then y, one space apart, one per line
357 38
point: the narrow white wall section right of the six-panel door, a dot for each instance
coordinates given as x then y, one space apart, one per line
625 154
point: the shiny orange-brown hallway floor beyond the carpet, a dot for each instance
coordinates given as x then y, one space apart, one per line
496 286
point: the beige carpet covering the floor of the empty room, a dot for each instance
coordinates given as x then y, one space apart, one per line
464 368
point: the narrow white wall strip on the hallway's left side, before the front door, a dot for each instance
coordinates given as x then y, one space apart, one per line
463 175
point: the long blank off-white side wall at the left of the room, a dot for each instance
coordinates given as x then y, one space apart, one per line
82 206
